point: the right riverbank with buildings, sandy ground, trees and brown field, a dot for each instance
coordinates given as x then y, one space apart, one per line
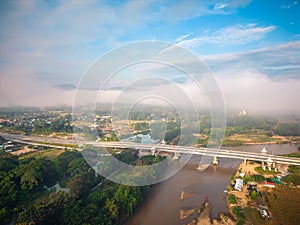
260 201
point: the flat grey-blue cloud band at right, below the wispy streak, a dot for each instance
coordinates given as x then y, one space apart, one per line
279 62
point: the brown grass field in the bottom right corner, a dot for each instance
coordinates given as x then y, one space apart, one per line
284 203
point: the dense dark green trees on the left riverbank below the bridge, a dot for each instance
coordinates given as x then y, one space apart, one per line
90 199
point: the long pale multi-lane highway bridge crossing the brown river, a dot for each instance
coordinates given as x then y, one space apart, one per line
220 153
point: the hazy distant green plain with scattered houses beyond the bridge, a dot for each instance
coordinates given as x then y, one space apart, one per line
240 130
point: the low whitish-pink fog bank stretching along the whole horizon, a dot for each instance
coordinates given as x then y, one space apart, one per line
253 93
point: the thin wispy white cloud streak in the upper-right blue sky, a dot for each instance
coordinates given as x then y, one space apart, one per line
232 35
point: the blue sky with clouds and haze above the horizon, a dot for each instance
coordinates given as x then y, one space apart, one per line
252 48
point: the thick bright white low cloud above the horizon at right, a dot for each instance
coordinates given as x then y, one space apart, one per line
255 92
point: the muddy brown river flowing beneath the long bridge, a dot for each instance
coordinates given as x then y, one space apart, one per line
162 205
